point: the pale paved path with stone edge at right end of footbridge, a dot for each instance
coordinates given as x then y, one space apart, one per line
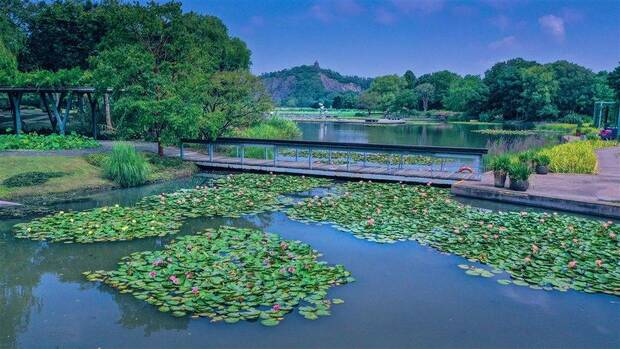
591 194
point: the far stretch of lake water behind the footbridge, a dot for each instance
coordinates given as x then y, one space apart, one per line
437 134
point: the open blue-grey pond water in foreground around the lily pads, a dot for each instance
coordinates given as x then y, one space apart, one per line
406 295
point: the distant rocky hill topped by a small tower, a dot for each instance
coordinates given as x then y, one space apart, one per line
306 85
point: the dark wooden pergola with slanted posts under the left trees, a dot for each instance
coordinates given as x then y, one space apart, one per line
53 100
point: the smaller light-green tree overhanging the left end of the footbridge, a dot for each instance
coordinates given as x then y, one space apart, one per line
228 101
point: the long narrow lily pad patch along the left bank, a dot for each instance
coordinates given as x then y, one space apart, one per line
160 215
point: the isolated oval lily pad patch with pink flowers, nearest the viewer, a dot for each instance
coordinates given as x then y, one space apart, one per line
230 274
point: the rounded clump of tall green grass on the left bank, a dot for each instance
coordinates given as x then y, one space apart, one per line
125 166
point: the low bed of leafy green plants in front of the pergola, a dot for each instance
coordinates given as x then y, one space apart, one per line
35 141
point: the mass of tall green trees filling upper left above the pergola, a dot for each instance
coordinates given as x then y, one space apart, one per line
174 74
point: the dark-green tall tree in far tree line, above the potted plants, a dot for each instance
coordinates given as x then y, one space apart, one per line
506 87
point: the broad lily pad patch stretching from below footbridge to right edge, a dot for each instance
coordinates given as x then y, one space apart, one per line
547 250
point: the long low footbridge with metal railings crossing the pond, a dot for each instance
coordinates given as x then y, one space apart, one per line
446 165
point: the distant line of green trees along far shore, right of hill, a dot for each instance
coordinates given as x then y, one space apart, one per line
513 90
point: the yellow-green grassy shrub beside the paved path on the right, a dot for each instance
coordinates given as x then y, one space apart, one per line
575 157
